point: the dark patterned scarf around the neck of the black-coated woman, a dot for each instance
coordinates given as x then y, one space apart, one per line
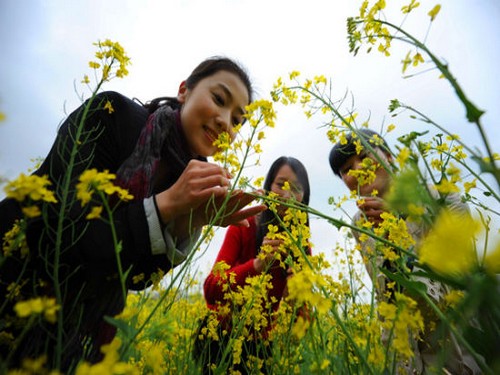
162 138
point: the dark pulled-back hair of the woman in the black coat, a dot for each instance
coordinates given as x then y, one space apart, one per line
205 69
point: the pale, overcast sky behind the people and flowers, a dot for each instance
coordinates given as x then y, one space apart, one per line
46 46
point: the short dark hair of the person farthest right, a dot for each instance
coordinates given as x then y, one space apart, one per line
341 152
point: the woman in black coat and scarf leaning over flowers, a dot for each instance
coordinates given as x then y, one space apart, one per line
158 152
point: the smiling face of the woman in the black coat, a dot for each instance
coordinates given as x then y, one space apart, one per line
215 105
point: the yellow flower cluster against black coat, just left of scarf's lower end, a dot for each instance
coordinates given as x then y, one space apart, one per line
91 181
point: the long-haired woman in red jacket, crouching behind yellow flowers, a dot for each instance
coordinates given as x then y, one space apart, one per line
286 180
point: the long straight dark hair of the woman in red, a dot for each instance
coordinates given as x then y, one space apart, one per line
268 216
